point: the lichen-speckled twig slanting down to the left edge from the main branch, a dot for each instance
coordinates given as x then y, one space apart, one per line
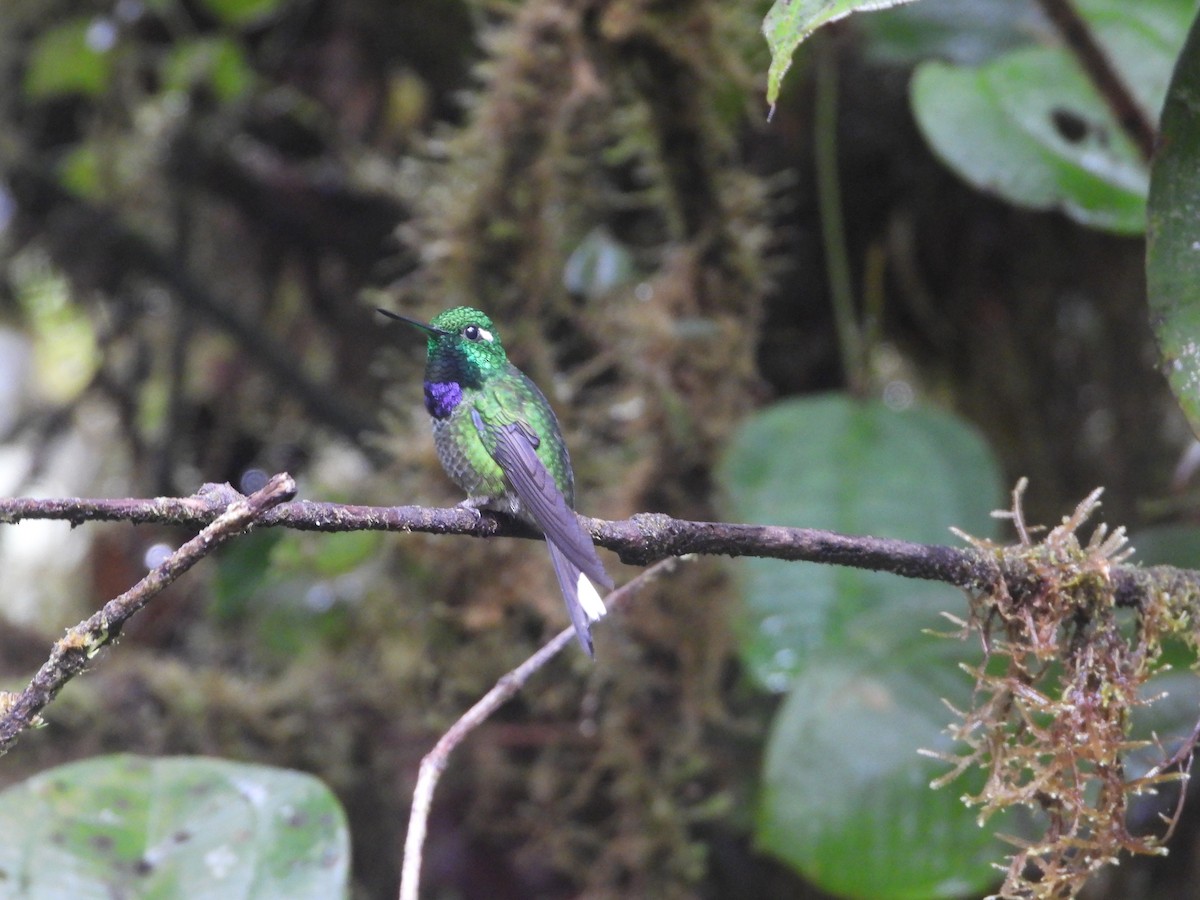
70 656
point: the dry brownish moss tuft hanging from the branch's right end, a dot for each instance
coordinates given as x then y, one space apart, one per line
1063 671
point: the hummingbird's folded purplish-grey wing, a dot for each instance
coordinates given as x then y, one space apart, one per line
514 447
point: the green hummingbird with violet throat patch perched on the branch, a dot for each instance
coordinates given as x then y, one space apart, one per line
499 441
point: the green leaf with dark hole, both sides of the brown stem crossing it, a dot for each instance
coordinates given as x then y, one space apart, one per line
1033 129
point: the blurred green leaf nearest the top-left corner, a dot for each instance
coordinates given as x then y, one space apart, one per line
70 59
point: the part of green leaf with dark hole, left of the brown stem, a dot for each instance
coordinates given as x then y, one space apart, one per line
1031 129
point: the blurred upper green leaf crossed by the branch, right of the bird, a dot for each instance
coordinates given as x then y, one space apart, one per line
856 467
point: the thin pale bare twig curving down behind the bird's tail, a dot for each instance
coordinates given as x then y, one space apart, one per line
435 763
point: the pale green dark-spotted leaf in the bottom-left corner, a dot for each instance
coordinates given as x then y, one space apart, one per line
130 826
